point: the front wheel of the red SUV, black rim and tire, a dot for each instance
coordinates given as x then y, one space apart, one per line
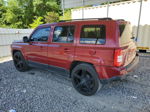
19 62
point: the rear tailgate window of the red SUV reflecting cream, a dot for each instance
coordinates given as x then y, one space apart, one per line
125 33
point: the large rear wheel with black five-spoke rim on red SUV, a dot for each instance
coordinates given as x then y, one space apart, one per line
85 79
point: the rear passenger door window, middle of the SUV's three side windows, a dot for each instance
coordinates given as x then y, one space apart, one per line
64 34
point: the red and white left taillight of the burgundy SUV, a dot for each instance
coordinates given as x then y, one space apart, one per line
118 57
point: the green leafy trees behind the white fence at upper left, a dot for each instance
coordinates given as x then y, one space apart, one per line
21 13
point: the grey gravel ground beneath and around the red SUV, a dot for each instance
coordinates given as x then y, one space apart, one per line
44 91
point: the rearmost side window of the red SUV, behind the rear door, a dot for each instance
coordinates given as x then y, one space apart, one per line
93 34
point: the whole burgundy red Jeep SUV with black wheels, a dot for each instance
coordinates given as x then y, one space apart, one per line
90 50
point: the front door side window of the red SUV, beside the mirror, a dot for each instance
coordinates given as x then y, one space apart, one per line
41 35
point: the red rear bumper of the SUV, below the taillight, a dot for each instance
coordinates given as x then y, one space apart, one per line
107 72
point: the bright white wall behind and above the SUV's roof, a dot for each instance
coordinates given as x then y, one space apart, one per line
122 10
